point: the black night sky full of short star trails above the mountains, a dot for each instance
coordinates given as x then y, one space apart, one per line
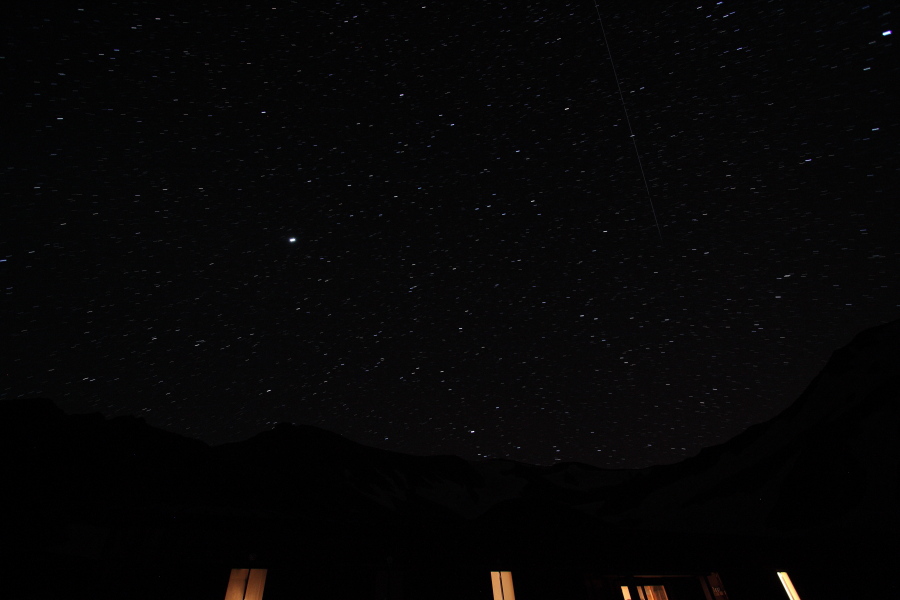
424 225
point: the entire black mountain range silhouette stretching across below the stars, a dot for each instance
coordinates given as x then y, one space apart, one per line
816 482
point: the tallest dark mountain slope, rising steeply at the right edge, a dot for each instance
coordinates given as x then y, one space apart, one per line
829 463
